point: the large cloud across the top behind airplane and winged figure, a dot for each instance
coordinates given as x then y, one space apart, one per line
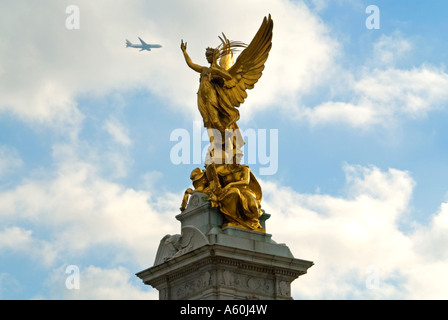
48 66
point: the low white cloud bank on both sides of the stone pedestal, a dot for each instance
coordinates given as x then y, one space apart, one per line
351 238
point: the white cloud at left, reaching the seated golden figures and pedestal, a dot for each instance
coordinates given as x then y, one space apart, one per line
81 211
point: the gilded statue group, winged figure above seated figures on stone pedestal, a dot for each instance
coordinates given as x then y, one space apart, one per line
222 89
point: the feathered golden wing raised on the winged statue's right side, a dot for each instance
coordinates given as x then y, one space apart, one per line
248 67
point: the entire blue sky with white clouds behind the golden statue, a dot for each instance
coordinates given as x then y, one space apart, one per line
86 177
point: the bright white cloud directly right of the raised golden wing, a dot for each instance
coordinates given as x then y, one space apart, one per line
303 56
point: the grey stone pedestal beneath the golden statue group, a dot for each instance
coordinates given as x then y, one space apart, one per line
207 261
